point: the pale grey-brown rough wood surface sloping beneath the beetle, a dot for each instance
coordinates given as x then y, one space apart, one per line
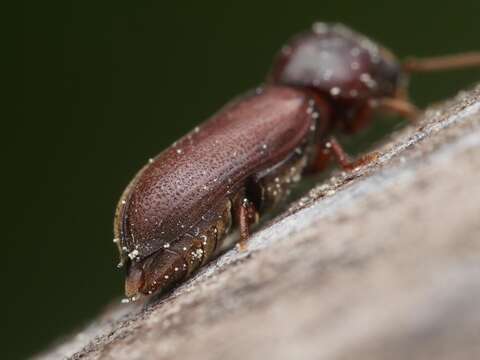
382 263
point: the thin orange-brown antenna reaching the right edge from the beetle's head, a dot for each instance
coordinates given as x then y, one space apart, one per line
440 63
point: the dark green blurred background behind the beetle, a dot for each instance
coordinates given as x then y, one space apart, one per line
108 84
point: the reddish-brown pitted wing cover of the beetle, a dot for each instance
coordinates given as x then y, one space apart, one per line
190 179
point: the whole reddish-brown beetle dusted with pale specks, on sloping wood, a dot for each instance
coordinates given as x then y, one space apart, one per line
202 195
